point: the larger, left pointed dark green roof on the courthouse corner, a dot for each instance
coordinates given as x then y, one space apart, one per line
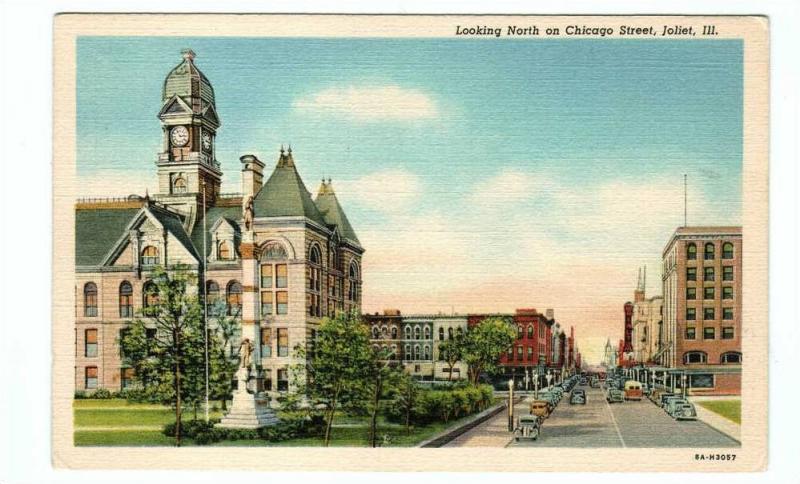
285 195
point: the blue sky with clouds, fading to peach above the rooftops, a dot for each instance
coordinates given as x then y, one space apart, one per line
508 153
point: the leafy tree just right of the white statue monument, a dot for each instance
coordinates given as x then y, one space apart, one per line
335 377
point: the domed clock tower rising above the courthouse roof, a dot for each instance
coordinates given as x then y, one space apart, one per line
187 165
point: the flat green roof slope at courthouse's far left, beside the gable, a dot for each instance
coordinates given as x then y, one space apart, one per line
97 231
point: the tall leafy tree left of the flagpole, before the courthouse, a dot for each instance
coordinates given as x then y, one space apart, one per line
165 344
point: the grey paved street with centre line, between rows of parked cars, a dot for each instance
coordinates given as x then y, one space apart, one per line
598 424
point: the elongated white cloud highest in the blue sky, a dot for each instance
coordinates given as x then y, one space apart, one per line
370 103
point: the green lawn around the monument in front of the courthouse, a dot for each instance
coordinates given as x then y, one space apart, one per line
95 421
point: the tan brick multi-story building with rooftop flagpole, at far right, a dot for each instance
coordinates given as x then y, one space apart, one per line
702 281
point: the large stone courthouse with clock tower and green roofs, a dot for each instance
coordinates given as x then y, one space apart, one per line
278 258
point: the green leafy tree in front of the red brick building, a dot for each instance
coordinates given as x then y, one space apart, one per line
484 343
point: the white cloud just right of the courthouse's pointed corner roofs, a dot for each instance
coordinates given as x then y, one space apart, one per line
392 191
